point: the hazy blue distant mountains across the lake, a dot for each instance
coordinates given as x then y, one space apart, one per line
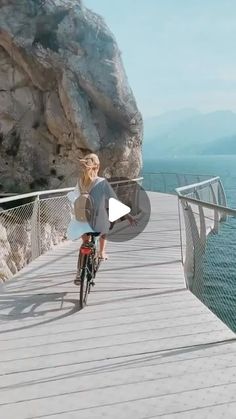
187 132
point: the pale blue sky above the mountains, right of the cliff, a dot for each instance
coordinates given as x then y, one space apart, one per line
177 53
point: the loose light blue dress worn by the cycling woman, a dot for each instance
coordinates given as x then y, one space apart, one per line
100 192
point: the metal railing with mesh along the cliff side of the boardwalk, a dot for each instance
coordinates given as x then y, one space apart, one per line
31 224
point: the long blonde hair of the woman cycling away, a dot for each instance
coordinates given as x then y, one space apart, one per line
88 170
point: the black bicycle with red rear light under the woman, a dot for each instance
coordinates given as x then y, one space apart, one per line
87 267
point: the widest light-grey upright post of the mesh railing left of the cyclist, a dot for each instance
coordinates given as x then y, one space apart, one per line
35 230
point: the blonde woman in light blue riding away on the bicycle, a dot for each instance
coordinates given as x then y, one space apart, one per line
101 191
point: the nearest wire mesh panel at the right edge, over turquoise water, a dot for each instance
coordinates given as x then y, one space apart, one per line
214 278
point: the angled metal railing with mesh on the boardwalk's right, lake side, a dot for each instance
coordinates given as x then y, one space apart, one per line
210 246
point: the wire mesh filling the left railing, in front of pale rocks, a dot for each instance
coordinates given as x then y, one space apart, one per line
27 231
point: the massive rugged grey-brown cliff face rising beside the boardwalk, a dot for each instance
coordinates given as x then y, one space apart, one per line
63 93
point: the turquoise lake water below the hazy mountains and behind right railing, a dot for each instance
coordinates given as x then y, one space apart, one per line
218 288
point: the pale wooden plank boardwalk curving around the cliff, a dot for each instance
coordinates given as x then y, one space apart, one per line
144 347
